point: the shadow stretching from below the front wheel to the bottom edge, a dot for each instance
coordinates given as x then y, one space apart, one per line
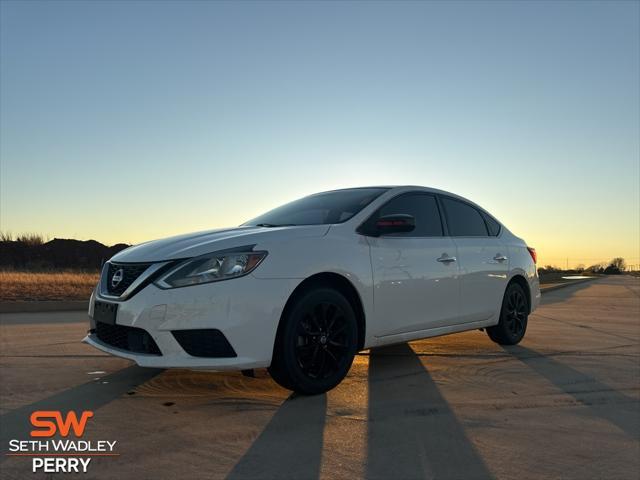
290 446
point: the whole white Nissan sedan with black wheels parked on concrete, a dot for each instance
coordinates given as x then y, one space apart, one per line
304 287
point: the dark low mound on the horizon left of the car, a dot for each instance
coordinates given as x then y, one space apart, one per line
32 252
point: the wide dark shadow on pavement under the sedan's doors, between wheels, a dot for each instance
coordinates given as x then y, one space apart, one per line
412 431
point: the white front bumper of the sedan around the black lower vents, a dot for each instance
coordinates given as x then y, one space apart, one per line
246 310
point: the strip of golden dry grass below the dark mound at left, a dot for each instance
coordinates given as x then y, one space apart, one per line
23 286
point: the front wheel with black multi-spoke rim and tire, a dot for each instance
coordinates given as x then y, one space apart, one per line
316 342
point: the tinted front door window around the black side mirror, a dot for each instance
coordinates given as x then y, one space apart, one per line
422 207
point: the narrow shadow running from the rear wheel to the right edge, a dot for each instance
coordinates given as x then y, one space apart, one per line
602 400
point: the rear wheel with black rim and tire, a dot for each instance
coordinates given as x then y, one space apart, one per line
513 317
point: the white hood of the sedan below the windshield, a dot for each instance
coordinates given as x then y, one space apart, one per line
200 243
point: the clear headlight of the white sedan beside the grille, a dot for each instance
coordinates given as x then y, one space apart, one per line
211 268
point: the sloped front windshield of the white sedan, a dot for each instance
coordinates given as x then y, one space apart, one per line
322 208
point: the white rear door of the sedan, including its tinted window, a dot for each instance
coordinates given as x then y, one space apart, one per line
482 259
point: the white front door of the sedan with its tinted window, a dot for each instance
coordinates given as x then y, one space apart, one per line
415 274
